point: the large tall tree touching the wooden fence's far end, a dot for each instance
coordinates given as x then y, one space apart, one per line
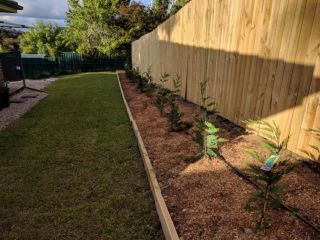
107 26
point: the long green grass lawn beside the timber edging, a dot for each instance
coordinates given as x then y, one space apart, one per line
70 168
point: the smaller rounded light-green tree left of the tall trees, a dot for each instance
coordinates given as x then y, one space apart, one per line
43 39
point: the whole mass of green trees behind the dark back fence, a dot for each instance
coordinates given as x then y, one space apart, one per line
99 27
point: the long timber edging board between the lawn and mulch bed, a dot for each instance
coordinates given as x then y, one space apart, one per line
167 225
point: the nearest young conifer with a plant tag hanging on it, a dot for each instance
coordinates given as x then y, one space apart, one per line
267 172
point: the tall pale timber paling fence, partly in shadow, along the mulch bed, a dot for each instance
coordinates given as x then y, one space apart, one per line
261 59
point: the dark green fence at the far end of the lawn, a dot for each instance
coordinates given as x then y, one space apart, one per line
69 62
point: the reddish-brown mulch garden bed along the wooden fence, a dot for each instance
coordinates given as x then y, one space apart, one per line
206 199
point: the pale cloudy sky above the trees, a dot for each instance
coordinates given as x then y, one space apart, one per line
45 10
